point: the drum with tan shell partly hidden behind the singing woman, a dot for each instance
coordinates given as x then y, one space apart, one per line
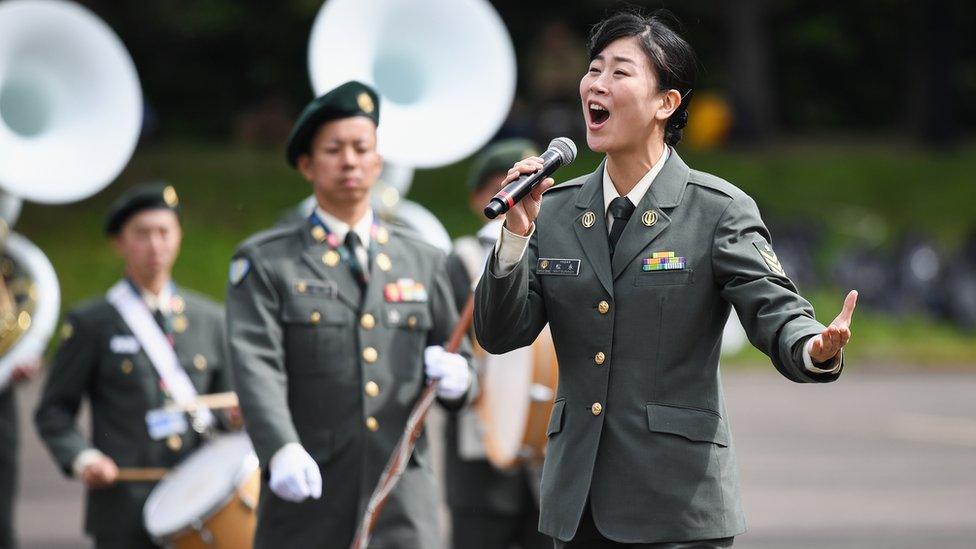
518 388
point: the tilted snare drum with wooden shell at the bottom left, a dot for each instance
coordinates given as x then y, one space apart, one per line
209 500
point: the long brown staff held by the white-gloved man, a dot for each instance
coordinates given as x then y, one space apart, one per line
415 425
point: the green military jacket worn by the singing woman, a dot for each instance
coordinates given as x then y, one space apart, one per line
639 424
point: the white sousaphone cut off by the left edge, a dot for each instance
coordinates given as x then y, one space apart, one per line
70 117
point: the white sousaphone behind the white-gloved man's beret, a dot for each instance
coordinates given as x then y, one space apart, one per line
445 72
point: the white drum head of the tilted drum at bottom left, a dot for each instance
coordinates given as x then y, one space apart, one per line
199 485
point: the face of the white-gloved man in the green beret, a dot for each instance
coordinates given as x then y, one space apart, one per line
342 163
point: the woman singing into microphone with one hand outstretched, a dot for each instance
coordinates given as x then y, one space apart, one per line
636 268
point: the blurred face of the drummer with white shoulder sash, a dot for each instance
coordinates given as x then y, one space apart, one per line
149 243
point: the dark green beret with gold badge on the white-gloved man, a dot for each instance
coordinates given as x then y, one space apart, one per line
350 99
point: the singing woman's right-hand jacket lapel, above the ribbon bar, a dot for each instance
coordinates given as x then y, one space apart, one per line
665 192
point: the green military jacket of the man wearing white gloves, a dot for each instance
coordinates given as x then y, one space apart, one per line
318 363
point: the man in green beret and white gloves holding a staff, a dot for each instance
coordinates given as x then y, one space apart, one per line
334 327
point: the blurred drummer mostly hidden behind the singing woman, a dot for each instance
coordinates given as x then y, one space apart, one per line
490 508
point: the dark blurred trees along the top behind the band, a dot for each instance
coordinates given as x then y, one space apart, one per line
223 68
